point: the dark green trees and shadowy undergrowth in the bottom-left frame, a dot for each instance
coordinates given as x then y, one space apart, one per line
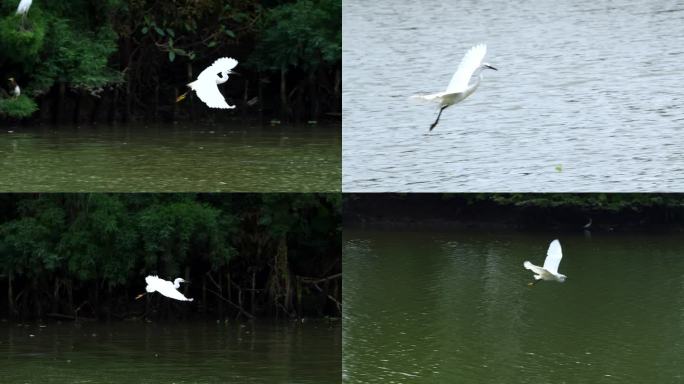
107 241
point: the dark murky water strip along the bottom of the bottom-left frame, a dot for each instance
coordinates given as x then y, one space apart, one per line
163 353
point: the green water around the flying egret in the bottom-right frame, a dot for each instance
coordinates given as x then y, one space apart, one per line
454 307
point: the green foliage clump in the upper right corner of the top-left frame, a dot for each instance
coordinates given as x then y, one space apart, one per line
304 34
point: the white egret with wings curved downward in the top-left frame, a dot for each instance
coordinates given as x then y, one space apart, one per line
206 85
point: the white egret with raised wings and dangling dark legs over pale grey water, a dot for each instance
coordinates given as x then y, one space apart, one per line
459 87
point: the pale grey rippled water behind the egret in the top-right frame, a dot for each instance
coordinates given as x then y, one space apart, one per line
588 96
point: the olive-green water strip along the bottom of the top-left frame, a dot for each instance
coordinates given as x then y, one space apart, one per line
227 158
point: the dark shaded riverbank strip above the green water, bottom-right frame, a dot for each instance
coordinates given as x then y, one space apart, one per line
607 212
